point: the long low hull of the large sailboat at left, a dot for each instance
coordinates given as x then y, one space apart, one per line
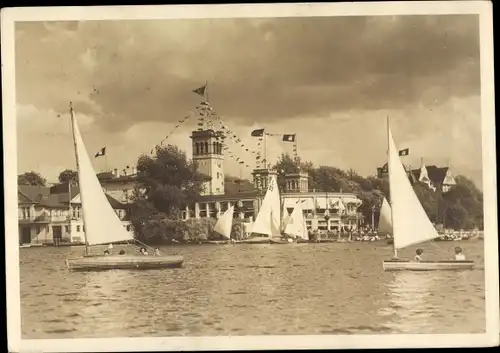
122 262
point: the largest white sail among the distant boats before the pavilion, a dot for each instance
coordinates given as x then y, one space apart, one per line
268 219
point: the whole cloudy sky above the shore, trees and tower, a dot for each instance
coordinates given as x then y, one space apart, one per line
331 80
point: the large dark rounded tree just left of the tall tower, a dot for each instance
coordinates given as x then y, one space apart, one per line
166 183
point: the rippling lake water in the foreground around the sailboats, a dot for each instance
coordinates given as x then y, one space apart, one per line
253 289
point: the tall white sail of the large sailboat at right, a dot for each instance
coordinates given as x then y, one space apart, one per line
409 220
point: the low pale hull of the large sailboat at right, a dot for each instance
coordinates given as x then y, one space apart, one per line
405 265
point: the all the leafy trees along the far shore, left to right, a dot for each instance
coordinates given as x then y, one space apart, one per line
168 181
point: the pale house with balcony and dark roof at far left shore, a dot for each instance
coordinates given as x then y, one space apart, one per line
47 215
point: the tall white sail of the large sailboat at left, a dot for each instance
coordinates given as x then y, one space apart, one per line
102 225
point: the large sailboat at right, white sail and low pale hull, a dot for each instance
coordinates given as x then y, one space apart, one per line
410 223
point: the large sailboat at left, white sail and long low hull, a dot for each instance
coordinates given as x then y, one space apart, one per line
101 224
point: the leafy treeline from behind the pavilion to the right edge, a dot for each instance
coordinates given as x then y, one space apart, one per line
459 208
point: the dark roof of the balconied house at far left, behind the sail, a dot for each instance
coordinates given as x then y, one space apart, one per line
56 196
